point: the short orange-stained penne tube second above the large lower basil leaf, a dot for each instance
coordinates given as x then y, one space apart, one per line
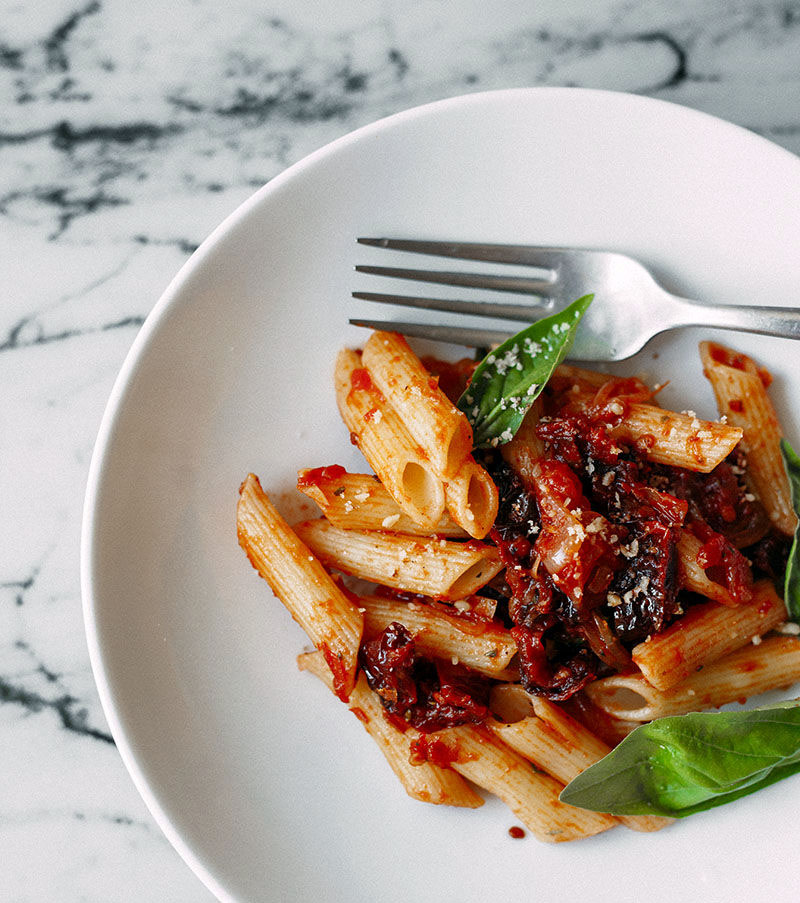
706 633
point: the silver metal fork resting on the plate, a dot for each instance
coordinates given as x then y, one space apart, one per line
629 307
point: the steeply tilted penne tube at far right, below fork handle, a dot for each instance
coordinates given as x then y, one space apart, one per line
742 397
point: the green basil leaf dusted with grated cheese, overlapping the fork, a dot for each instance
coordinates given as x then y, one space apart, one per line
508 380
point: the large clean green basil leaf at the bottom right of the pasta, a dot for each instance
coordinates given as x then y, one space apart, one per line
684 764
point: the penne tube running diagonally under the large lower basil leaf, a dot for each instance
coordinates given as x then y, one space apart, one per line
554 741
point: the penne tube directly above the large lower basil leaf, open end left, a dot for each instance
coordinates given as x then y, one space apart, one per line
773 663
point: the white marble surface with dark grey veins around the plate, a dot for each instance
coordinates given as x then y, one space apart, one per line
127 132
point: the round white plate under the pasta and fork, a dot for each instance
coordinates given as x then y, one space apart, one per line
265 784
